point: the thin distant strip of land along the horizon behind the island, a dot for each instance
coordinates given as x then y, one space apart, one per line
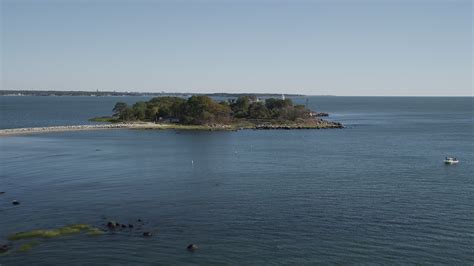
115 93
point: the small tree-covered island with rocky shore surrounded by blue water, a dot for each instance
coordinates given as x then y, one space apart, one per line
202 112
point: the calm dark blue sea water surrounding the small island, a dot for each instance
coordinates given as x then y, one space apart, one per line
376 191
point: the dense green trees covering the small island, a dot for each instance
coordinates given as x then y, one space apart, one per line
200 110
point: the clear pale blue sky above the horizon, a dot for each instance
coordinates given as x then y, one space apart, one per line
371 47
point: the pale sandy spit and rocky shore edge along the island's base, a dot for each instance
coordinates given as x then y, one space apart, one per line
149 125
